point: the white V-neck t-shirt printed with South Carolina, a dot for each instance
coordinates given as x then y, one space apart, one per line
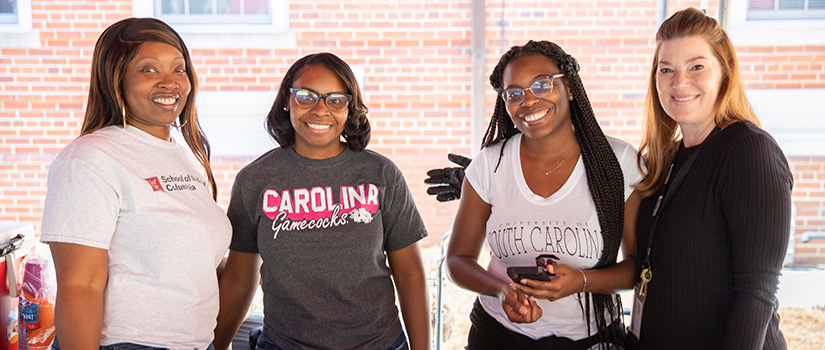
524 225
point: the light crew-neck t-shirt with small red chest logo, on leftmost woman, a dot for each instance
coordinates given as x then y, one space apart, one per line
147 202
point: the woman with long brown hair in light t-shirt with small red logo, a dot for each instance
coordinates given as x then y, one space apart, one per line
130 214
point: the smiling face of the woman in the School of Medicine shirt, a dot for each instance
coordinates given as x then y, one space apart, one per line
155 87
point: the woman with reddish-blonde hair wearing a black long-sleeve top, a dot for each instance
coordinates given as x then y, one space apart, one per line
719 242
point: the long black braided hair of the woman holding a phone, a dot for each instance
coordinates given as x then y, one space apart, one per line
601 165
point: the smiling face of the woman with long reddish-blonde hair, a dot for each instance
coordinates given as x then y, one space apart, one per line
688 78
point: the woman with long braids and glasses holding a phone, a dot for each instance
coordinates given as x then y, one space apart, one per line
546 192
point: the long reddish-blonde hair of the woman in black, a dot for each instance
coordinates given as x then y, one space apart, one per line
661 133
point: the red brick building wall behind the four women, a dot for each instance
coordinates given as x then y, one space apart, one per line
417 61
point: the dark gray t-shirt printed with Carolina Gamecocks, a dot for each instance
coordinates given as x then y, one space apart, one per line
322 228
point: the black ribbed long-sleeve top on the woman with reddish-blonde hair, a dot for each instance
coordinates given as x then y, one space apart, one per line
718 246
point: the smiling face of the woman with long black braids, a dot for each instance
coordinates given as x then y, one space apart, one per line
536 117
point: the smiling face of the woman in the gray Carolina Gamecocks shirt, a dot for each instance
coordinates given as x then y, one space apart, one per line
317 129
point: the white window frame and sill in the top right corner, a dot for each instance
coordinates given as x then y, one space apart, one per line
781 32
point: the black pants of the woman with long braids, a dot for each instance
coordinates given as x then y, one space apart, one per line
486 333
